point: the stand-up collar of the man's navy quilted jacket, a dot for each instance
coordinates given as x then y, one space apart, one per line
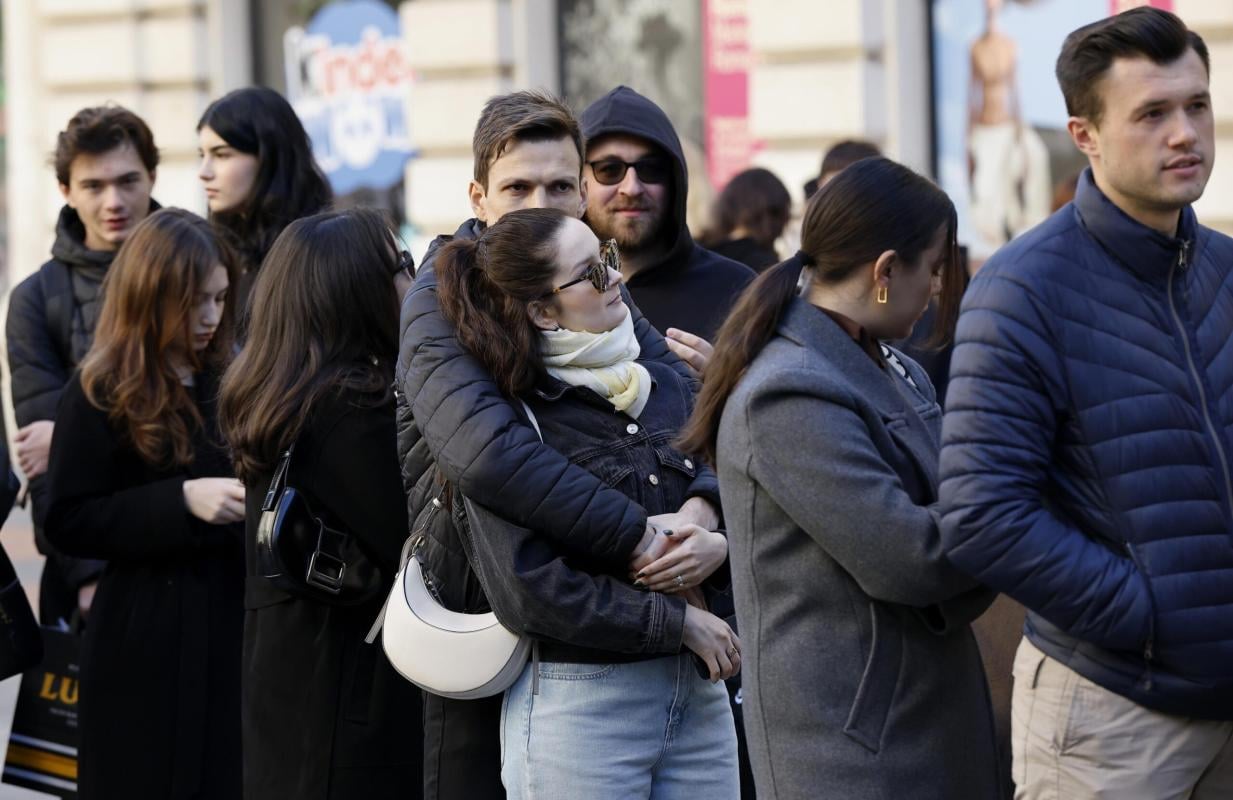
1145 252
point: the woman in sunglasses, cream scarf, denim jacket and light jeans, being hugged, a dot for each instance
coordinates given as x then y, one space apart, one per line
623 698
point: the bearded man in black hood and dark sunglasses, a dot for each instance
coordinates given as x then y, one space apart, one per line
637 193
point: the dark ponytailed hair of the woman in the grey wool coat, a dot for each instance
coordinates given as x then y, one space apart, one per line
874 206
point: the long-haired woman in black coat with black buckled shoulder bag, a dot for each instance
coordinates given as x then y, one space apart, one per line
324 713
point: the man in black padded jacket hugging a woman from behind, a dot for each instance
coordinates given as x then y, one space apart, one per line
456 426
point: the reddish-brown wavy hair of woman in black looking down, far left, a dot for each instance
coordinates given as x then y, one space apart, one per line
145 335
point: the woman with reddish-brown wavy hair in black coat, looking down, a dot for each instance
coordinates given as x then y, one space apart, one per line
140 478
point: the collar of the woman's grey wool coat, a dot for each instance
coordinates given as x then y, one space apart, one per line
814 330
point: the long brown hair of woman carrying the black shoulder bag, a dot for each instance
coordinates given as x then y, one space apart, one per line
325 319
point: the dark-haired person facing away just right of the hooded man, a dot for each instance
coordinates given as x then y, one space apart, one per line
750 215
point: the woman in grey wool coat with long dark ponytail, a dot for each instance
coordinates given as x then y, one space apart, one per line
861 671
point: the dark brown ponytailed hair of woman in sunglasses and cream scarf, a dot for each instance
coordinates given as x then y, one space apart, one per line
486 285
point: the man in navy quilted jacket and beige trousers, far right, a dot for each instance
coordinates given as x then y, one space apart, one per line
1088 444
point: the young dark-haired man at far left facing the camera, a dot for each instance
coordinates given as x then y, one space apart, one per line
105 162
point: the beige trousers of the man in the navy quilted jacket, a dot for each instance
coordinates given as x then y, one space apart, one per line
1073 740
